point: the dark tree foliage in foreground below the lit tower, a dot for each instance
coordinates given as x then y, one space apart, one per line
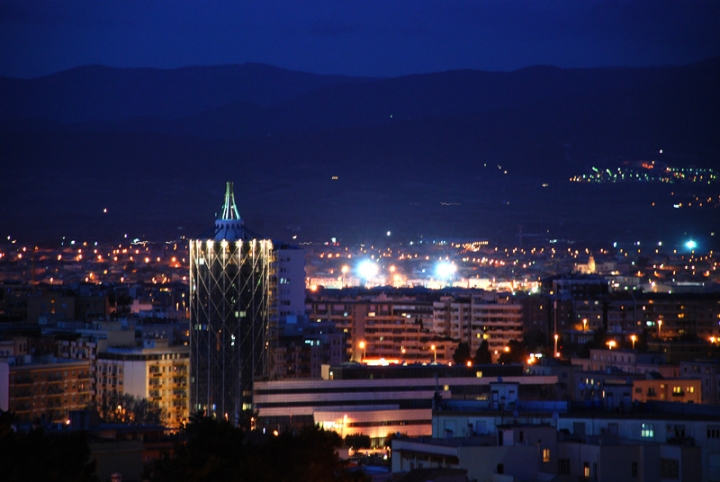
217 451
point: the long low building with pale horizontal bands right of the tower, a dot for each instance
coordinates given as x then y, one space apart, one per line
382 401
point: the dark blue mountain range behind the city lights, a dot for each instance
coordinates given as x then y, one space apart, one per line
466 153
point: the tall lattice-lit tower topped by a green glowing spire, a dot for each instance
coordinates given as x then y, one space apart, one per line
230 302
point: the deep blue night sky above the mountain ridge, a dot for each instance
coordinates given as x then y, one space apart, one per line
355 37
